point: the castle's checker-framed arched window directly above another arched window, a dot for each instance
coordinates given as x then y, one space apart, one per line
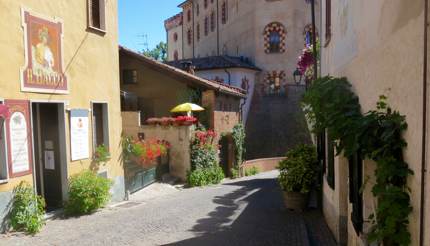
274 38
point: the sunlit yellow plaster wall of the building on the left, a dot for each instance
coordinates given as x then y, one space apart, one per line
89 79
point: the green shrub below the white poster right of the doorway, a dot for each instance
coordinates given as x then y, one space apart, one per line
87 193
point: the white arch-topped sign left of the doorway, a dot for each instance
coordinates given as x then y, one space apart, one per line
19 143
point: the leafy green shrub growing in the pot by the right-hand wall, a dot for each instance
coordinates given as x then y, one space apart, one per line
299 170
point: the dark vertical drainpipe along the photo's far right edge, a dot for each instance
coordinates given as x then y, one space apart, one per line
424 130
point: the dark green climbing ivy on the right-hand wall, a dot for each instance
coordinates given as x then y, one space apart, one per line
330 104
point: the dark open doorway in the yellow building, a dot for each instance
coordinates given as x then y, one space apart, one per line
49 146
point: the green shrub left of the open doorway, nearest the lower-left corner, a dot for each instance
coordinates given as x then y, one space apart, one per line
28 209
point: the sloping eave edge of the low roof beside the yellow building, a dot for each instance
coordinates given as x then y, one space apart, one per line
213 85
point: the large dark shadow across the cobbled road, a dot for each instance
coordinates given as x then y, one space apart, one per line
253 214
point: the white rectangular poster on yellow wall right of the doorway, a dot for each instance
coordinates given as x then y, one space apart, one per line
79 134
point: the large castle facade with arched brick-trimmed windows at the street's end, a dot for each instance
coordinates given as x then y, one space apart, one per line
269 34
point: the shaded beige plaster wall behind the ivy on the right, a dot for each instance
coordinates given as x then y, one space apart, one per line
377 45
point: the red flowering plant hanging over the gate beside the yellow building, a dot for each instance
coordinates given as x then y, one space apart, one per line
145 152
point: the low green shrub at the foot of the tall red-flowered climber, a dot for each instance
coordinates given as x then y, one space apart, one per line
205 176
